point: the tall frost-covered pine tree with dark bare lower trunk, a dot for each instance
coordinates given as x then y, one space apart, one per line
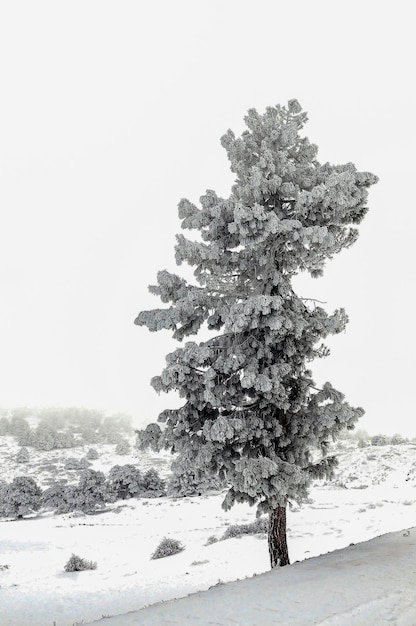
251 410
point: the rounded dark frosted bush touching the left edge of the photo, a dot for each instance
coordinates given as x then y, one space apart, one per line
21 497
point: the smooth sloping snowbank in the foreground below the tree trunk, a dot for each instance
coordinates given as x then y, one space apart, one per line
367 584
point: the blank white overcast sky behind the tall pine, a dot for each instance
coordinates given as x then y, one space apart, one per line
110 112
